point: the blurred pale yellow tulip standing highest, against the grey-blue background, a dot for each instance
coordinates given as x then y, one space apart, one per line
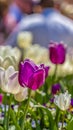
24 39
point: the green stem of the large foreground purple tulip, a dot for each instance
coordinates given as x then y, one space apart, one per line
26 110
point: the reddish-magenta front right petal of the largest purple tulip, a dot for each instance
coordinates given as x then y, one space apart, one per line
37 79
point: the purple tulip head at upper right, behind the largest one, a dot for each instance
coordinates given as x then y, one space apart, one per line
57 53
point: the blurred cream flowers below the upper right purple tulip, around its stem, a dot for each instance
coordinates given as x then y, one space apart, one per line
62 70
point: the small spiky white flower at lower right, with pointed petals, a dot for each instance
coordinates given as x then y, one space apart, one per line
63 100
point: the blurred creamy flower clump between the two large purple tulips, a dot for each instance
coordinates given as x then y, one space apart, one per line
37 53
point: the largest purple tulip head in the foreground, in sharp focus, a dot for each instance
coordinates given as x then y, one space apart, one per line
31 75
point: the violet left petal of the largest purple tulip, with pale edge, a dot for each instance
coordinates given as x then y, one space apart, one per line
26 69
